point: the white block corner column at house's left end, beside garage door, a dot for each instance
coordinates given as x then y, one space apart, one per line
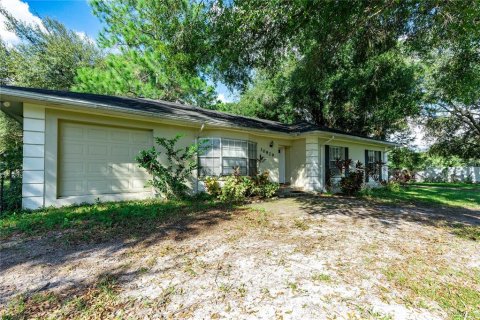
33 183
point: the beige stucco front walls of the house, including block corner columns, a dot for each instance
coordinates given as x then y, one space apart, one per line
41 150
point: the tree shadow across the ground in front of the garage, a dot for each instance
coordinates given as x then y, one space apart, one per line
56 248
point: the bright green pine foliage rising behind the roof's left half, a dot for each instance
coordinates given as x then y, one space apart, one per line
159 51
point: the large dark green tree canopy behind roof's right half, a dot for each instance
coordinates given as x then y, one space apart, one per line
358 65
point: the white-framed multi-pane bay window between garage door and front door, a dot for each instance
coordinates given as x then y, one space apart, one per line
220 156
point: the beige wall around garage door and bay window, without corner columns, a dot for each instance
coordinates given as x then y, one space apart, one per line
159 129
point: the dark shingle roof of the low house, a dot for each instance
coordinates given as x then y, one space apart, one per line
186 112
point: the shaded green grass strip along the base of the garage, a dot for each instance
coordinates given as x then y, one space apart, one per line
102 219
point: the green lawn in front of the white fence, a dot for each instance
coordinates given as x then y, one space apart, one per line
449 194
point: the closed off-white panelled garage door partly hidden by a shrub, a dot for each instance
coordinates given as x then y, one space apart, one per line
100 160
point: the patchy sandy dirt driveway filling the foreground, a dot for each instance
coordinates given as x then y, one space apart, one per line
294 258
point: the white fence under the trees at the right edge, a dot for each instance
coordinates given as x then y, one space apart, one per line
450 174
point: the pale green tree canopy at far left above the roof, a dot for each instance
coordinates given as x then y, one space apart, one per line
48 56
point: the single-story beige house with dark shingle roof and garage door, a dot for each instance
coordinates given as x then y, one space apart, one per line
81 147
